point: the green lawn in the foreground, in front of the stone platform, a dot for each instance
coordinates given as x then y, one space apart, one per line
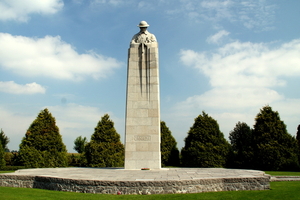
279 190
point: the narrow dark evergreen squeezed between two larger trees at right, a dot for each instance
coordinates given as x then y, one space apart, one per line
241 143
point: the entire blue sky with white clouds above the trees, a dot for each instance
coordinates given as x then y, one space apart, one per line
228 58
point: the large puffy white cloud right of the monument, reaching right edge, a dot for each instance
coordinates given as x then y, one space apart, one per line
247 64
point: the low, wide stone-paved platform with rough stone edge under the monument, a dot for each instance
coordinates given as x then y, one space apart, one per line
120 181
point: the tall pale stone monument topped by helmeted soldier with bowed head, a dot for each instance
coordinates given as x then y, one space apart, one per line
142 131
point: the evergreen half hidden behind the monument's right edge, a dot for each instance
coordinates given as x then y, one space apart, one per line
168 146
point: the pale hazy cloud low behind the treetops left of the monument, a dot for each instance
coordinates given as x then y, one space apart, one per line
73 120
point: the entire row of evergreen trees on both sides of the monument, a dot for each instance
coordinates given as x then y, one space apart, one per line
266 146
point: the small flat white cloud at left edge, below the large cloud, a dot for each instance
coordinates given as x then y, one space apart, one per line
14 88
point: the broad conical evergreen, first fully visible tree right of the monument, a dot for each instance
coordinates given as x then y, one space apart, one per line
205 145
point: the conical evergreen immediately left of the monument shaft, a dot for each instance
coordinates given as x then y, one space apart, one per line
105 148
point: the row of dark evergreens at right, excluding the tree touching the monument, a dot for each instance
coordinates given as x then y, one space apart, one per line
266 146
